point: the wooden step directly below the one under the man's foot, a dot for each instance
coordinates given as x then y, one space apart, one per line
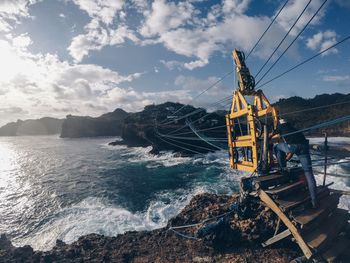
328 230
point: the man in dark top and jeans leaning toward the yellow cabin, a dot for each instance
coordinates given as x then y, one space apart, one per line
290 143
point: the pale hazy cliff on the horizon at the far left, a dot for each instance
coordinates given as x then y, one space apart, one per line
43 126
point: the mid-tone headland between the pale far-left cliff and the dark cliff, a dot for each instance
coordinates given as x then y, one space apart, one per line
109 124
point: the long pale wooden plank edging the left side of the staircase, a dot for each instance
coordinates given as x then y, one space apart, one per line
273 206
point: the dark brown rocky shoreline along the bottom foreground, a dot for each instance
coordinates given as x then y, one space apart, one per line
237 239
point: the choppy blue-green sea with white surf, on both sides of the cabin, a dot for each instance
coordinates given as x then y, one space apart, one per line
53 188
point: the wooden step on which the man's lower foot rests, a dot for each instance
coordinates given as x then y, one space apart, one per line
326 205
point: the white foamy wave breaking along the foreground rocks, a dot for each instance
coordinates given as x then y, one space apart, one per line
95 215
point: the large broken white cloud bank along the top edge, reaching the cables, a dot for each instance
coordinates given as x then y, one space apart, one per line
185 30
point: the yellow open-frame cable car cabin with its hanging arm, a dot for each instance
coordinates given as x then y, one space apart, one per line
250 113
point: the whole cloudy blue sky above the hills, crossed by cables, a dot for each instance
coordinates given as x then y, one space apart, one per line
88 57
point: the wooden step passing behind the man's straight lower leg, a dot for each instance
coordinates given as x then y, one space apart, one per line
291 201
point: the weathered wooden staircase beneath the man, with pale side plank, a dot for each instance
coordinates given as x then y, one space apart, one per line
318 232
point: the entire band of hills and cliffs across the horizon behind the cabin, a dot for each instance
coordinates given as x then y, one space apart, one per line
147 127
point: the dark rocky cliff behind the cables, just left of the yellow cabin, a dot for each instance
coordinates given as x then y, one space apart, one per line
156 124
